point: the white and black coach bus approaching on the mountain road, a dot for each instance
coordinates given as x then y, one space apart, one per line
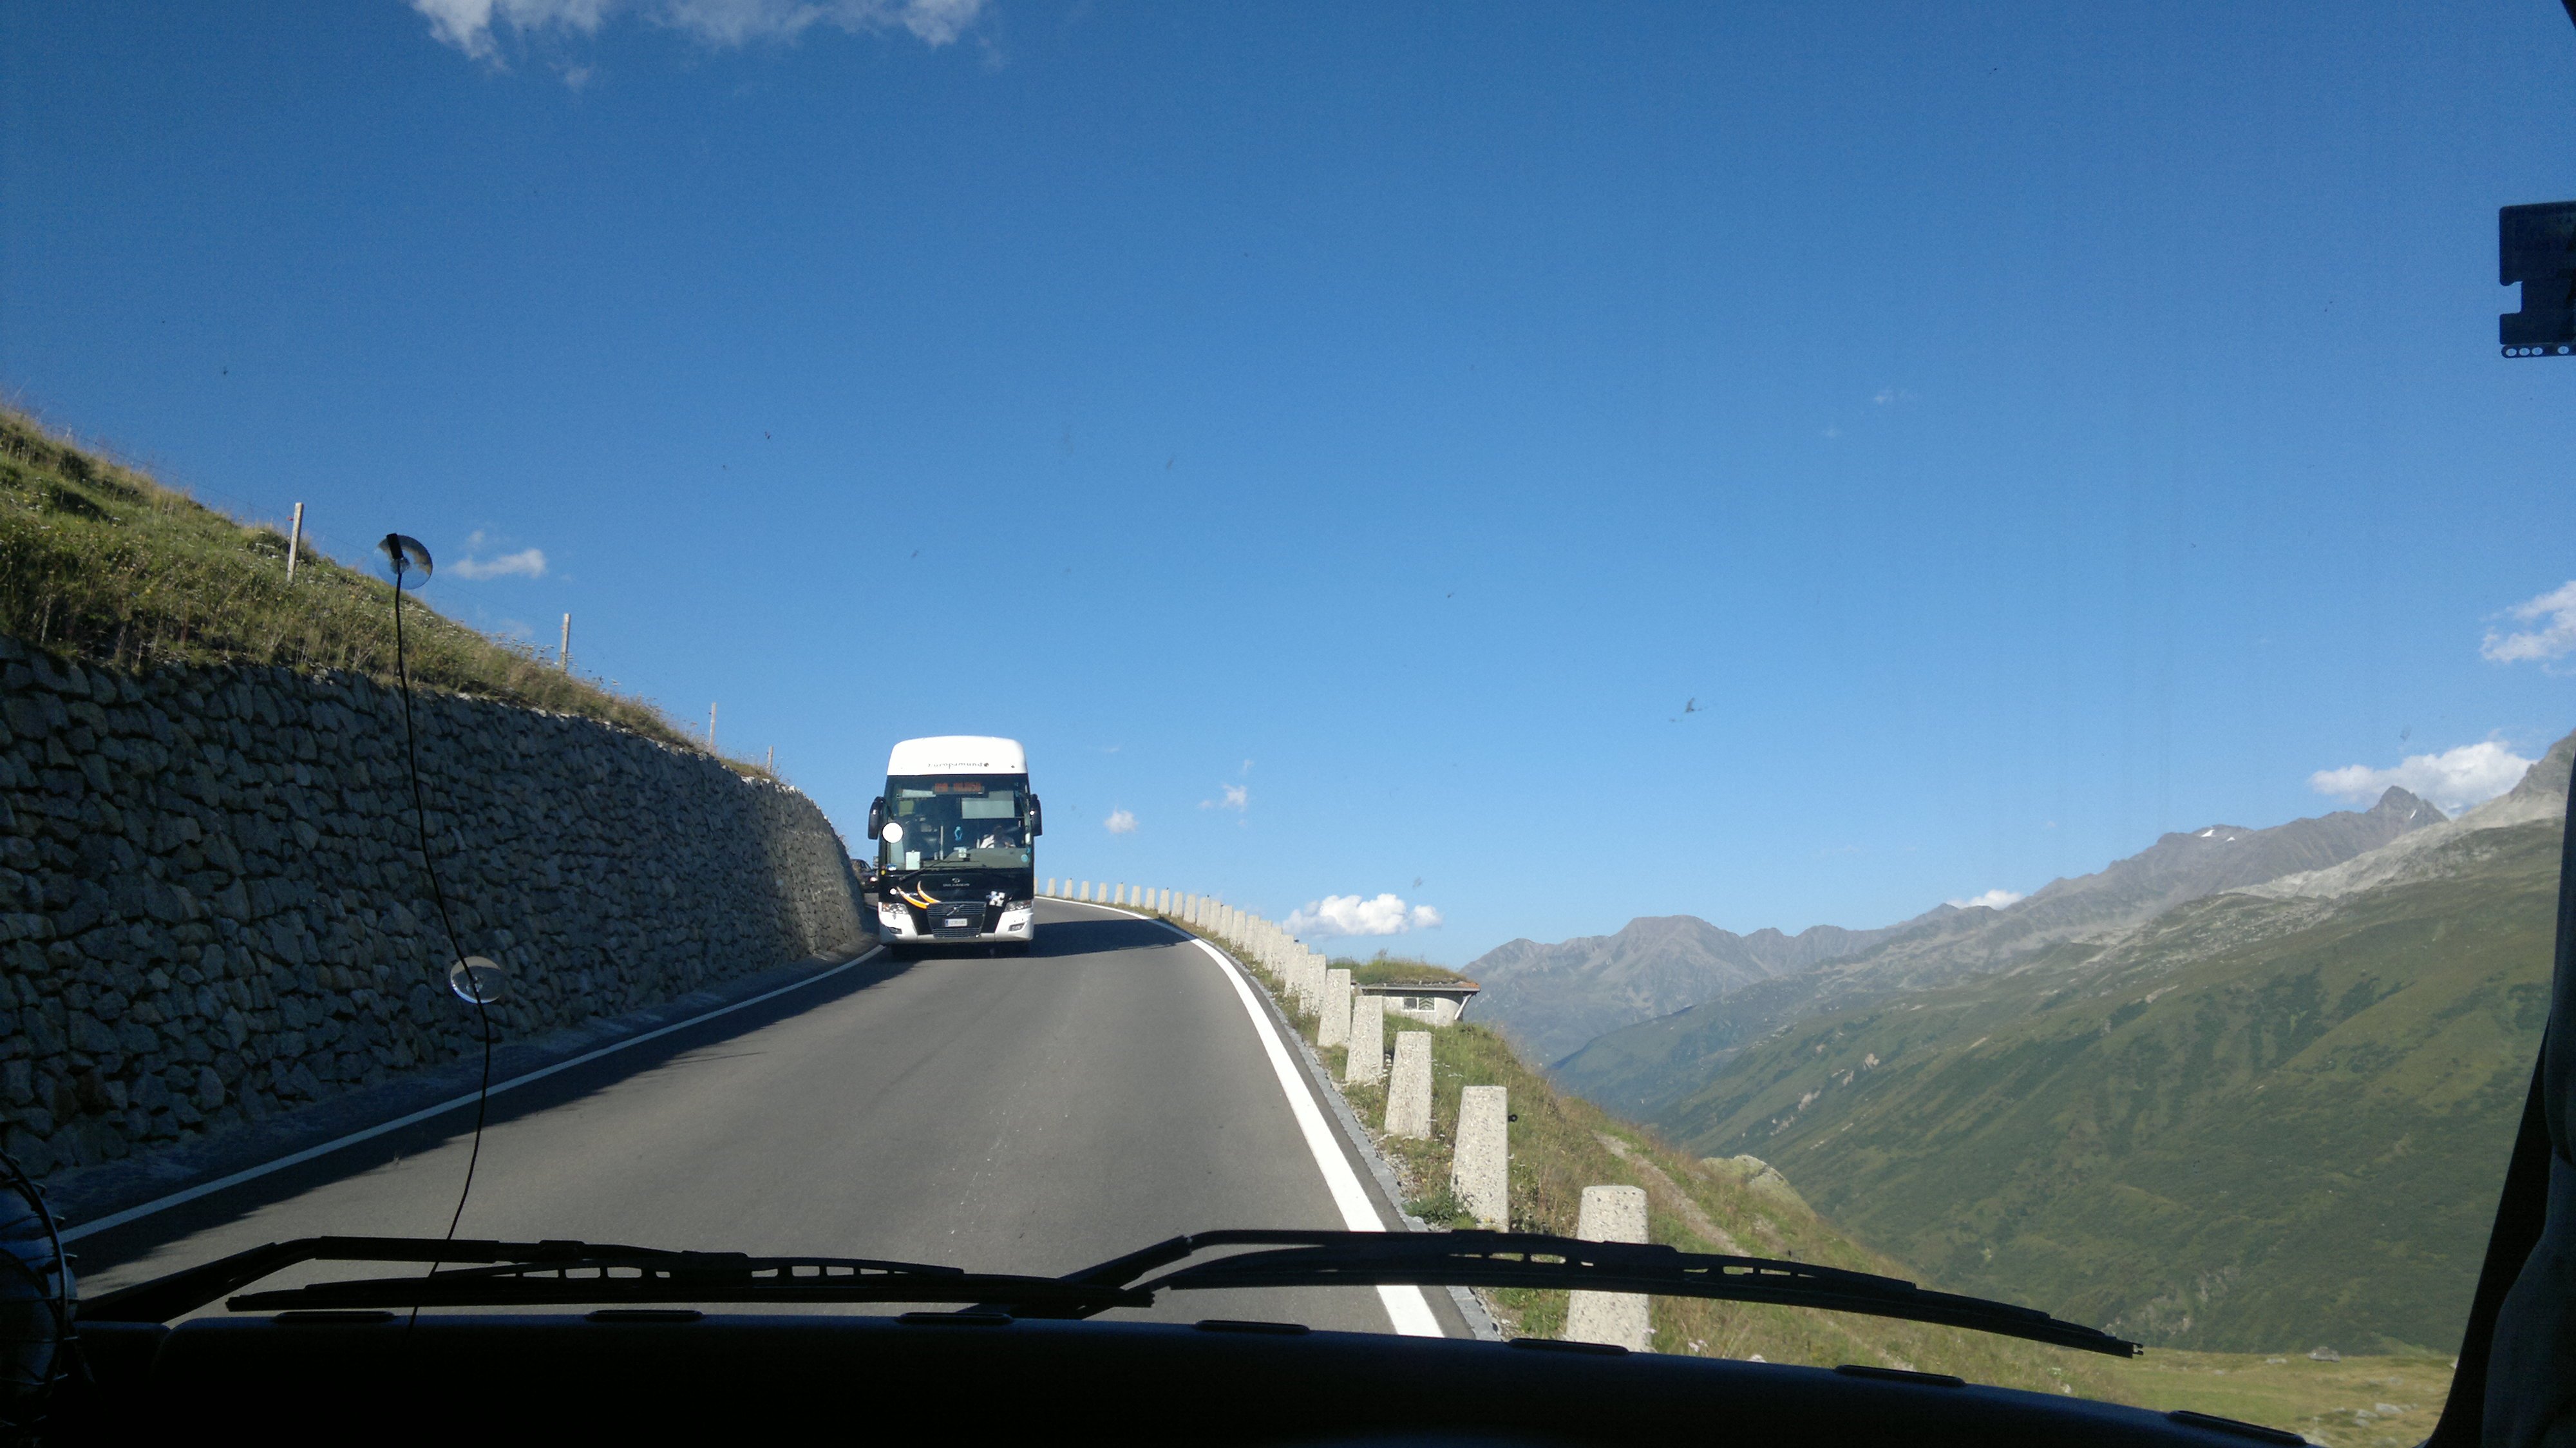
957 846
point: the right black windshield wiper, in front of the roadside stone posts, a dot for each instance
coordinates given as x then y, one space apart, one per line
1534 1261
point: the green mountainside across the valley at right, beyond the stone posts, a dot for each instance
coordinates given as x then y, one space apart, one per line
2260 1125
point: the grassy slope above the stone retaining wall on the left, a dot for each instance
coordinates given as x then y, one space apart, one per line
115 568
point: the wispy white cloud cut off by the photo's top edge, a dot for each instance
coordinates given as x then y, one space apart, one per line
475 24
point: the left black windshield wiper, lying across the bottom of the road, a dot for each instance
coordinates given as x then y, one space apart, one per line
553 1274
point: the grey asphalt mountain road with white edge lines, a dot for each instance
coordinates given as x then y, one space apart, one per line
993 1114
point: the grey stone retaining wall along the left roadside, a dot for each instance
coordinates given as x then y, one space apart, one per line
213 900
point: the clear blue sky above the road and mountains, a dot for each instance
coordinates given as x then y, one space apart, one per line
1346 437
